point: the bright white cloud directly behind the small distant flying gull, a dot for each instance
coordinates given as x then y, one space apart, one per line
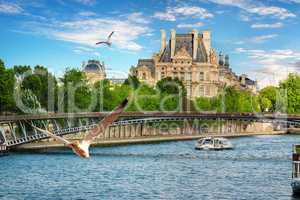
88 32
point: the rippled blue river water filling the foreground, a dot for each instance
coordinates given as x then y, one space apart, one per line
258 168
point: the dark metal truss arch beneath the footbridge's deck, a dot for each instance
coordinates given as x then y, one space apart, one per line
21 131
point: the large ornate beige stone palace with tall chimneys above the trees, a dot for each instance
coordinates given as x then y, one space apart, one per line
191 58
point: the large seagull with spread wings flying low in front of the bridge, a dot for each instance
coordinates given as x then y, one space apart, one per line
81 148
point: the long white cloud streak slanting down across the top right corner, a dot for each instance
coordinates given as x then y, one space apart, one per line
257 8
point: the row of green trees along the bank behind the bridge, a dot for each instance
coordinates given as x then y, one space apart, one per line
73 93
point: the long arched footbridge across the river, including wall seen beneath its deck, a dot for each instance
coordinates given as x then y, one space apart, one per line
17 130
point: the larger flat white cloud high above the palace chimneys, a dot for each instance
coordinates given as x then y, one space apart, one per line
193 11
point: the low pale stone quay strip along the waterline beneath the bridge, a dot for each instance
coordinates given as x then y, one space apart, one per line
141 140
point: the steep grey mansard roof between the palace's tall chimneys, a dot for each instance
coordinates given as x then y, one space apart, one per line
185 40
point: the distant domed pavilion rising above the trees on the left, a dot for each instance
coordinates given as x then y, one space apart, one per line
94 71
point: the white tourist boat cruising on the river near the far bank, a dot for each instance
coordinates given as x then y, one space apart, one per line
210 143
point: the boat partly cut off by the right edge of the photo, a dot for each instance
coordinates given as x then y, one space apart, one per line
296 170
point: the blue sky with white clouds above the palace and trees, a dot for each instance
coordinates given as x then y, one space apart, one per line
261 37
